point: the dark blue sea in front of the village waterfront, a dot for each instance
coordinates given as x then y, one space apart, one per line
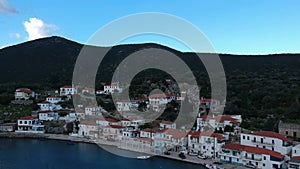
17 153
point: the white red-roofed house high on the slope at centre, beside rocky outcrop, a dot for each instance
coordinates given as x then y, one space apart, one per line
156 101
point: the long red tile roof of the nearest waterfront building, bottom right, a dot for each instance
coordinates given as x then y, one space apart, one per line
253 150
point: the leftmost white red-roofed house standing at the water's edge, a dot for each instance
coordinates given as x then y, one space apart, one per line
29 124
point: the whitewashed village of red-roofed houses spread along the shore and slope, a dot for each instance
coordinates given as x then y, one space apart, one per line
217 137
